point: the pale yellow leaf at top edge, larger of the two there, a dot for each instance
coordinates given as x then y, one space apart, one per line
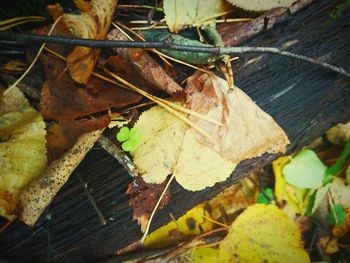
182 13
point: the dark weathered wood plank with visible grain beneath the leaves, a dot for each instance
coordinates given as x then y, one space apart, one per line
304 99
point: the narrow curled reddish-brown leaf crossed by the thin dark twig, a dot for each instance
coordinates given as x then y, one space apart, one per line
144 64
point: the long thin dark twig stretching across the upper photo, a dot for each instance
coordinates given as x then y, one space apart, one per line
27 38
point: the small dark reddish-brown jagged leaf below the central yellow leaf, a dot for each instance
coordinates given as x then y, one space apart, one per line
143 198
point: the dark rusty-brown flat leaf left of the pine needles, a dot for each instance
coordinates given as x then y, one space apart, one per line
64 100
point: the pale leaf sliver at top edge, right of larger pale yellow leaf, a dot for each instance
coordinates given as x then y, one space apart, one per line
261 5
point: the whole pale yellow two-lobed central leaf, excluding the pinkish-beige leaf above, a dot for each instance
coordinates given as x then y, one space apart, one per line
167 146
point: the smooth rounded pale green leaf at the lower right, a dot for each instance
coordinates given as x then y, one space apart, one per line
305 170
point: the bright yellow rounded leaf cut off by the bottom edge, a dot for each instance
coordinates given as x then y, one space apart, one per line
263 234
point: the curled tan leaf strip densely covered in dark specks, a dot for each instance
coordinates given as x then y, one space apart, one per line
40 192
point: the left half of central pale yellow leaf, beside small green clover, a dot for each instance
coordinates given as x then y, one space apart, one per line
161 140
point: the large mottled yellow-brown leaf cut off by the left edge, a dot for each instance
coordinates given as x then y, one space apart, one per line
22 148
